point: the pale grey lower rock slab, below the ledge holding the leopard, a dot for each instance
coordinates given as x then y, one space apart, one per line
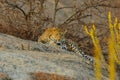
18 64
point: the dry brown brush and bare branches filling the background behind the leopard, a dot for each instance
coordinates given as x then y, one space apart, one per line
29 18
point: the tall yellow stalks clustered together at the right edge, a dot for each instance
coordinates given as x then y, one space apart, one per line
114 47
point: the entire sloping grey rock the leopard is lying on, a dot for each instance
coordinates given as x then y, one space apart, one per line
28 60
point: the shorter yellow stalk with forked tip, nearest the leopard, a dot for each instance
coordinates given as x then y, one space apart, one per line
97 54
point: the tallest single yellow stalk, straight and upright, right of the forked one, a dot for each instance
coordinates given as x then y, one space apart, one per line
111 46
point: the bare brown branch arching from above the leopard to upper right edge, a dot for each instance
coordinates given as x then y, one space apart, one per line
87 6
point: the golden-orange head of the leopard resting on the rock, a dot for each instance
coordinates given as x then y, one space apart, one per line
52 35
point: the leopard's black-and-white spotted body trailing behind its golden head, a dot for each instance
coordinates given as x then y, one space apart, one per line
70 45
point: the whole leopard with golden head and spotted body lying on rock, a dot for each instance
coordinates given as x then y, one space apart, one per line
56 36
